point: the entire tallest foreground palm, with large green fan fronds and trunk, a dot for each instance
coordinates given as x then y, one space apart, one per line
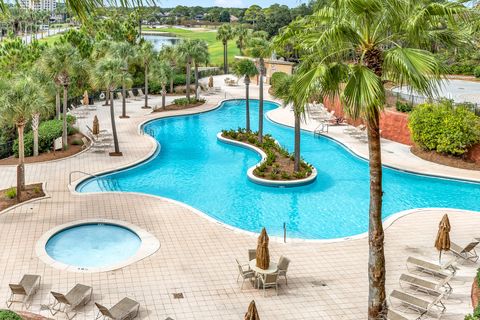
352 51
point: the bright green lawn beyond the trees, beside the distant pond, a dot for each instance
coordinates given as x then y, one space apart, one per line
215 47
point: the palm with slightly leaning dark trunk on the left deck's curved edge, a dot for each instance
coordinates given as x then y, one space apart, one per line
108 73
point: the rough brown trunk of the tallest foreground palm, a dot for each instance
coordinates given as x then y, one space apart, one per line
376 261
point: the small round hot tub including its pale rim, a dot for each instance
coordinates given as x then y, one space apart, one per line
95 245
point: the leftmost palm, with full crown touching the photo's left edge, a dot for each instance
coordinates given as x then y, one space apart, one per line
17 104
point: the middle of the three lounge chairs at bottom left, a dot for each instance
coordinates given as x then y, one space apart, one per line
79 295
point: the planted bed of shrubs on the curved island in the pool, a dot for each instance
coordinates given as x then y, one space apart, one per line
278 163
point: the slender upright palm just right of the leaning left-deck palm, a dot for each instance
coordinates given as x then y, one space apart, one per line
126 52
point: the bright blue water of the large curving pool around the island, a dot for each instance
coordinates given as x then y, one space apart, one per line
193 167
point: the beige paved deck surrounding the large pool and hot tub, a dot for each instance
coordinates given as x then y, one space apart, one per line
196 255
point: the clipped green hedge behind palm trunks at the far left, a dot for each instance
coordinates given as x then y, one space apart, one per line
47 133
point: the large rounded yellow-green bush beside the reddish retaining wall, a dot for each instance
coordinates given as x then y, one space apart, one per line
443 128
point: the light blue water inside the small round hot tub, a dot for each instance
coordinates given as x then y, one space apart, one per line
93 245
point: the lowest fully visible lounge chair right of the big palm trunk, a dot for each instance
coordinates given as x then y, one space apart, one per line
421 306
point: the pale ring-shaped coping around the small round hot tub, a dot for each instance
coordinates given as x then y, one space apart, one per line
149 245
